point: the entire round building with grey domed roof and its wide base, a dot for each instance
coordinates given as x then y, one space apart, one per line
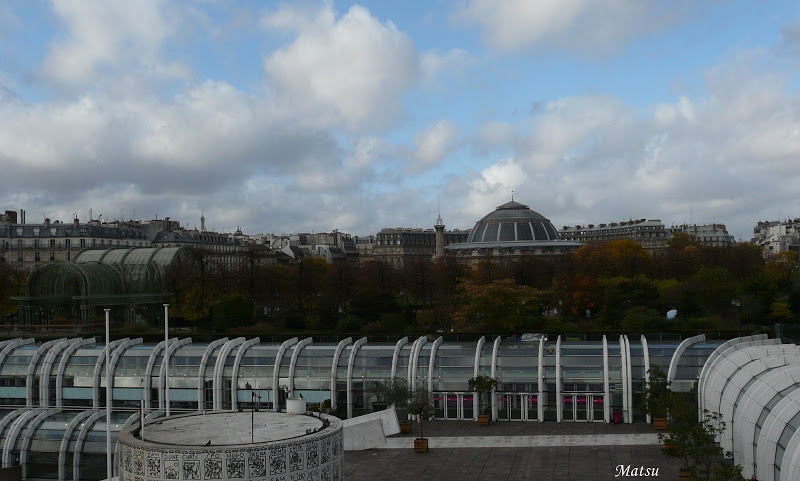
512 230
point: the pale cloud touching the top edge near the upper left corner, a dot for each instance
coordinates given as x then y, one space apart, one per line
108 34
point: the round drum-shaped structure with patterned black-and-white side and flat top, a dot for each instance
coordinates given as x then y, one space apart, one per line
219 446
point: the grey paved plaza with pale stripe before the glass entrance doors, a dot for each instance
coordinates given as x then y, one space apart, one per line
515 451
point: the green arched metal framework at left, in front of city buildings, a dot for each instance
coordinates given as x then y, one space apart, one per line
132 278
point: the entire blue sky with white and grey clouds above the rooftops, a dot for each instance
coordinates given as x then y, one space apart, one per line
310 116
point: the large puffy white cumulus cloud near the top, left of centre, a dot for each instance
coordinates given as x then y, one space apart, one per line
352 70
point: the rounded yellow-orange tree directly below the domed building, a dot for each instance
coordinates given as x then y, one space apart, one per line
499 306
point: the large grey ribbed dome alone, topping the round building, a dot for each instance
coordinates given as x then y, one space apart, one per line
512 222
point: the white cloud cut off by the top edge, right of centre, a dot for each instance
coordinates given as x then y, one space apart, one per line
584 26
